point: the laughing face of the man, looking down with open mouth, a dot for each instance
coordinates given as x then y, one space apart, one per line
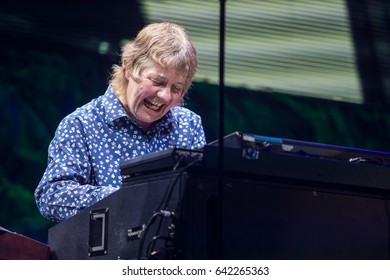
151 97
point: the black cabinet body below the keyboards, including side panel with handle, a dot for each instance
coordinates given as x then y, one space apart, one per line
247 217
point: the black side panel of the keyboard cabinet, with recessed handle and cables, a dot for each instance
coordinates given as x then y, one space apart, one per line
113 227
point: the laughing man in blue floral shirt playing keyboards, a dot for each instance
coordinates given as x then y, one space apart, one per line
140 113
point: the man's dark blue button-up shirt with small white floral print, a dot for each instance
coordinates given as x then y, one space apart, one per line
84 155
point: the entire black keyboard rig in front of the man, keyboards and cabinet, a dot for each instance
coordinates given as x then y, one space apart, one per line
280 199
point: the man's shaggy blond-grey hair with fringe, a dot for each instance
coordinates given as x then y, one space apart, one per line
166 44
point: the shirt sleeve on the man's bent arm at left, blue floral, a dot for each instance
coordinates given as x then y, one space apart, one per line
67 185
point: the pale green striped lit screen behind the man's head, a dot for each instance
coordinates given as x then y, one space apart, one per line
295 47
